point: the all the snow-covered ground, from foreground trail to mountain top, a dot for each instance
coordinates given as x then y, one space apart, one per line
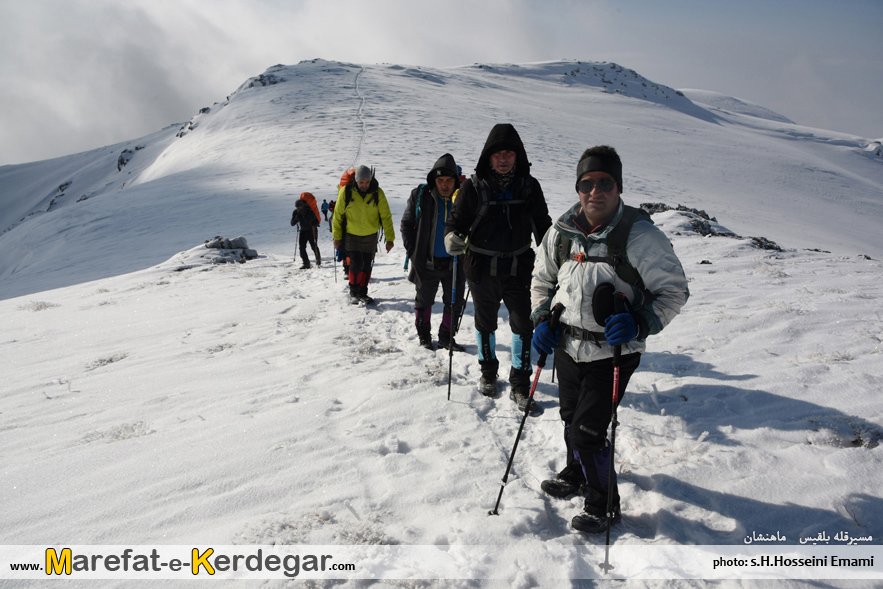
174 401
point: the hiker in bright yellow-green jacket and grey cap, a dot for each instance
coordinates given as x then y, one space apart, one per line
362 211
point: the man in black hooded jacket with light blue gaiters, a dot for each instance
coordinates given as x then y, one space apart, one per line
494 215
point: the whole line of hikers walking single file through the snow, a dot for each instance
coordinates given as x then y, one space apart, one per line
608 276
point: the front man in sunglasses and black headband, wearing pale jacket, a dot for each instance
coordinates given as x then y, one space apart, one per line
577 256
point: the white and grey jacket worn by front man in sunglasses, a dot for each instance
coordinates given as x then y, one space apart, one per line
574 283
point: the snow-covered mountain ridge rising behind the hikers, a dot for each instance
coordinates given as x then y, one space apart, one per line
294 128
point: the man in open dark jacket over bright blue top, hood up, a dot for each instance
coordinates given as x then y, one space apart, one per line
423 232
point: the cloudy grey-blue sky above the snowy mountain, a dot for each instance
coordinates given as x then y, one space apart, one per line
80 74
